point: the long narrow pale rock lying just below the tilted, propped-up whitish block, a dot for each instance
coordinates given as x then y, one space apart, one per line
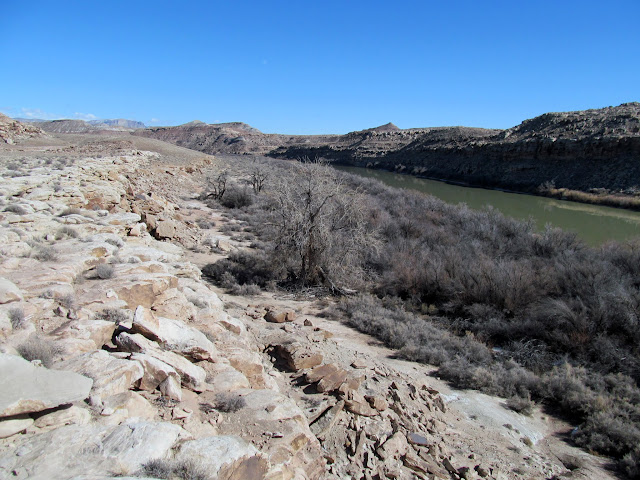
191 375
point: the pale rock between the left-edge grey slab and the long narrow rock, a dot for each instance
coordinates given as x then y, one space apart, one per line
111 375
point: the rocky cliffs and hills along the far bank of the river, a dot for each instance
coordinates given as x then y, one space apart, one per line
577 150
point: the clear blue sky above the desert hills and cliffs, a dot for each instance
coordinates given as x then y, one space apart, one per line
317 67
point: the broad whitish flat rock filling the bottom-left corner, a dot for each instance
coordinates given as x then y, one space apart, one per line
76 450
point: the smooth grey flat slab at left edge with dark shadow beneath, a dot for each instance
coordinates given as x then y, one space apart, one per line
27 388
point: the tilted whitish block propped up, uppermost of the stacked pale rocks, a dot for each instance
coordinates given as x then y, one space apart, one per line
173 335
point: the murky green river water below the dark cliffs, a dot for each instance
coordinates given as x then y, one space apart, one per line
594 224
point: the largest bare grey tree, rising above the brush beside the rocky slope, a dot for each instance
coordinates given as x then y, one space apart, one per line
321 228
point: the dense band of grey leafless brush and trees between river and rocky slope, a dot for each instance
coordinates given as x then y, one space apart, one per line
533 317
